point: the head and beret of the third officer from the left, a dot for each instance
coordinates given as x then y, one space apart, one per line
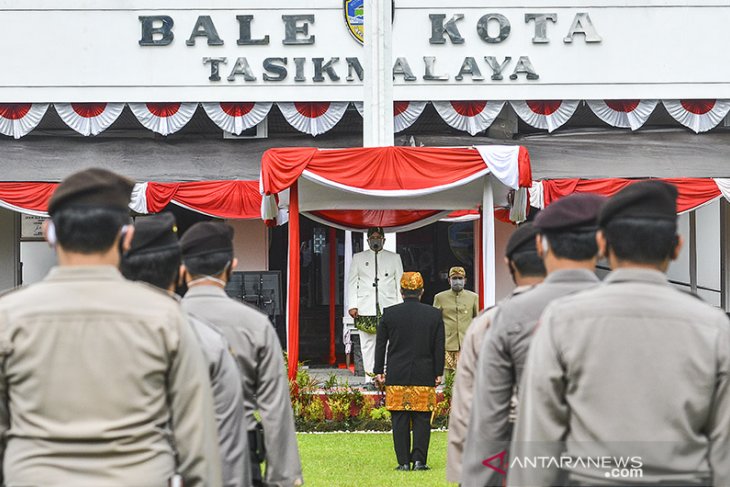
207 248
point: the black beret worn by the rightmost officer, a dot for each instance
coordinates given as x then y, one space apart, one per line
645 199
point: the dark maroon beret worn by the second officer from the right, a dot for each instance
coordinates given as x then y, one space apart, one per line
575 212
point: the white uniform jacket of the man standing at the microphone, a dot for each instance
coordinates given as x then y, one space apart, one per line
360 289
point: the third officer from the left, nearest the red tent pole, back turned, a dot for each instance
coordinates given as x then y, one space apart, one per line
208 261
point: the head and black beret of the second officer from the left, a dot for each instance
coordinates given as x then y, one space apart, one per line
154 256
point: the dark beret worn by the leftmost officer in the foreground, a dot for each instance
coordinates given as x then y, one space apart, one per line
93 188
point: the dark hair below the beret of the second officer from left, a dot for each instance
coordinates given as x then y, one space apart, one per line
159 268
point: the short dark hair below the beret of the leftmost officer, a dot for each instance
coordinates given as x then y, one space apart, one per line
88 230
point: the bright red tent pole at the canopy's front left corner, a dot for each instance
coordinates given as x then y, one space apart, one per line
293 294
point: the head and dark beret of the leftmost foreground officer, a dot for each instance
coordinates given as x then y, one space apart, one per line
88 209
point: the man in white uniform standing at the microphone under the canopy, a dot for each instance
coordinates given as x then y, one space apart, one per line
373 285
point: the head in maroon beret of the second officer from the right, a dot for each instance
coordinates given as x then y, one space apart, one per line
569 225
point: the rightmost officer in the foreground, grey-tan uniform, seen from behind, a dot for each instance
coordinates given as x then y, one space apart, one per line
634 370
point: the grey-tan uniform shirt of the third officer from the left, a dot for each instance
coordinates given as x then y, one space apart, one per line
256 347
